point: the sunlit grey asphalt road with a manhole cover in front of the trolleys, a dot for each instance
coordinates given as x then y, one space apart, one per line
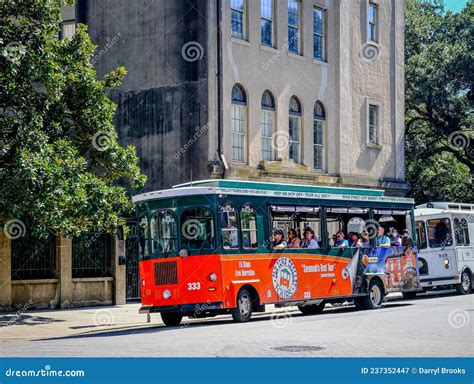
432 325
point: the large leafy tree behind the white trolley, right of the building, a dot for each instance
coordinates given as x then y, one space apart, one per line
439 74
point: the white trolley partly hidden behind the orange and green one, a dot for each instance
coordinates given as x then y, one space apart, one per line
445 238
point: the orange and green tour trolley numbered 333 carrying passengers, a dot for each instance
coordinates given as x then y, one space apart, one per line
206 248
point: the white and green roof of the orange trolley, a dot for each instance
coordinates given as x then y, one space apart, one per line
262 189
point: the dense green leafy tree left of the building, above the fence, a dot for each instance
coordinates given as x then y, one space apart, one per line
61 165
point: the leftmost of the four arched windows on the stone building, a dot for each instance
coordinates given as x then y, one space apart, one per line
239 104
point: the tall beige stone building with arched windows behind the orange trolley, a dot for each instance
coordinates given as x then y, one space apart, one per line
292 91
